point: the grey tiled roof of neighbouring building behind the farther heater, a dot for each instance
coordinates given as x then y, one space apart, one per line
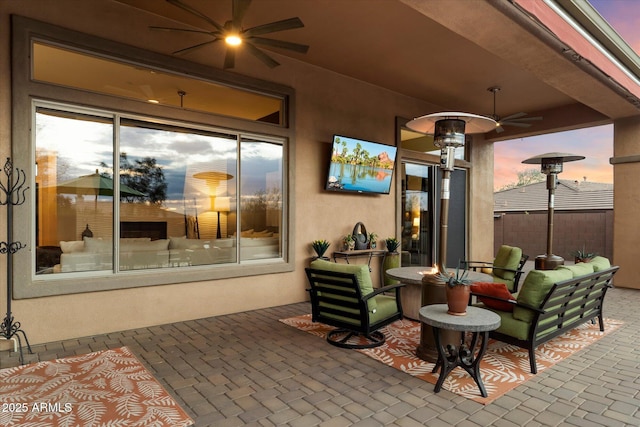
570 195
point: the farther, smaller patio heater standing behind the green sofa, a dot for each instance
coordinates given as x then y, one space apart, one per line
551 165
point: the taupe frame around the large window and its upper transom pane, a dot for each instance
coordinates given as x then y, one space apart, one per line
27 92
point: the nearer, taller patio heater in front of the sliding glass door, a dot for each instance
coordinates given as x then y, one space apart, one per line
448 130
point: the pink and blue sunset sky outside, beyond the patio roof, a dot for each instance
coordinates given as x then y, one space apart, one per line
596 144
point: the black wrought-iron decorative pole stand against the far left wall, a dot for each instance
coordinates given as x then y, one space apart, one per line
14 195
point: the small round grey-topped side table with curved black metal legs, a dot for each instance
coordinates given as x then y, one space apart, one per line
468 353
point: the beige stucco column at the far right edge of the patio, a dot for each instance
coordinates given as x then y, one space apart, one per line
626 200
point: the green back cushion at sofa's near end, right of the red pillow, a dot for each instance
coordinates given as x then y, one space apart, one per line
536 286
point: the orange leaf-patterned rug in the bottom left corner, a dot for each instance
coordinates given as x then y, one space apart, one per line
105 388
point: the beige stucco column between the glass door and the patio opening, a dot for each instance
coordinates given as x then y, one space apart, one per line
481 199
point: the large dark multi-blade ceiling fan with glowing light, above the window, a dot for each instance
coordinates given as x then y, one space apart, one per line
236 37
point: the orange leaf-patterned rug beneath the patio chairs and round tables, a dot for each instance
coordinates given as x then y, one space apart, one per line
503 367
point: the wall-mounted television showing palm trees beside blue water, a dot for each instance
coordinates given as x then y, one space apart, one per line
360 166
